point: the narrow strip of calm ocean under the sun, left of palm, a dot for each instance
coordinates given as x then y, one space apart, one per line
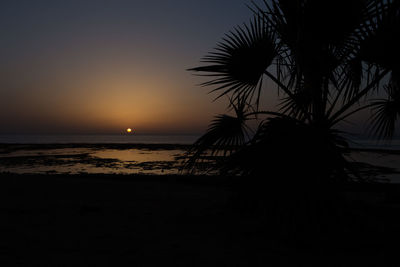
98 139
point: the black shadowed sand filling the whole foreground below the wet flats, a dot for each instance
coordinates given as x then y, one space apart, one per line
192 221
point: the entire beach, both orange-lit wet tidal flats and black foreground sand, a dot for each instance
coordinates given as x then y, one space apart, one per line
131 204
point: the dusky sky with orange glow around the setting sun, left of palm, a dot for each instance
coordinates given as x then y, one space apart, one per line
96 66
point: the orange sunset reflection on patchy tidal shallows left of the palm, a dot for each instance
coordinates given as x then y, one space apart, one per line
91 160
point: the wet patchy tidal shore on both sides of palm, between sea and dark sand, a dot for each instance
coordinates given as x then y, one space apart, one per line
164 159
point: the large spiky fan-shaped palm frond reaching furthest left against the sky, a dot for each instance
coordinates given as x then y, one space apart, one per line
238 64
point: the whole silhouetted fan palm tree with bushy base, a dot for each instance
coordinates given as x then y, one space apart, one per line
329 60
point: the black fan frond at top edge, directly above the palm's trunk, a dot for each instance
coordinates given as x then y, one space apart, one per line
316 32
